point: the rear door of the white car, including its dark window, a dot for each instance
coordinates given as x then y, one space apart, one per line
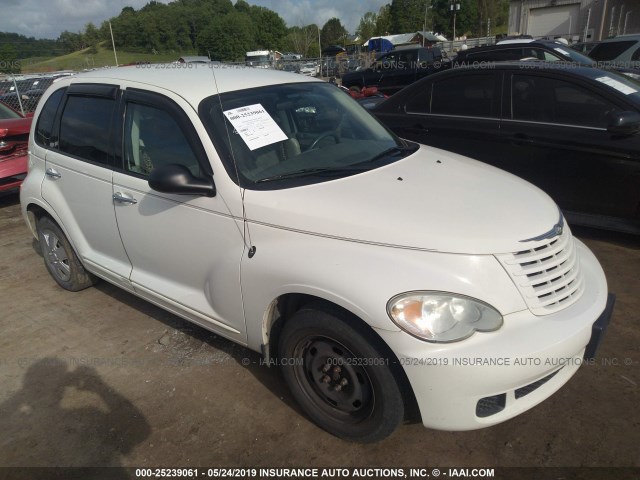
79 169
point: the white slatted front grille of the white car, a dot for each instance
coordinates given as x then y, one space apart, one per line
548 274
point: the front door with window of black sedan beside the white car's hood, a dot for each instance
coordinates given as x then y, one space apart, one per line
558 138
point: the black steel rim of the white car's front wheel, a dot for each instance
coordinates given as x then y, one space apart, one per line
334 379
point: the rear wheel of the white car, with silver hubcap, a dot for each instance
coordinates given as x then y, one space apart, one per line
60 259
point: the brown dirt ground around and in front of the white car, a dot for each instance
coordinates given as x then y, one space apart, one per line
102 378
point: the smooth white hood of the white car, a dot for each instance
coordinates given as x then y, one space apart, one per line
432 200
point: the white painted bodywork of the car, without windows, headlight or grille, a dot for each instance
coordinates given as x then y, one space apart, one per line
432 221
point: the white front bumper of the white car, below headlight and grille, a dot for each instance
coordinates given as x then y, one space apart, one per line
492 377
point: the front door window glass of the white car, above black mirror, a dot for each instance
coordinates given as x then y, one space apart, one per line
152 138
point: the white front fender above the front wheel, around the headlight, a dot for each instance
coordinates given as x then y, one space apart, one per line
359 277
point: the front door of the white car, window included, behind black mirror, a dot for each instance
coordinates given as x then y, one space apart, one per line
185 250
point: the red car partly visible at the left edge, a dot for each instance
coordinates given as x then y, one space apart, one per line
14 135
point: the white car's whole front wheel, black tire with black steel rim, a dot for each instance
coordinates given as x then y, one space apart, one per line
356 401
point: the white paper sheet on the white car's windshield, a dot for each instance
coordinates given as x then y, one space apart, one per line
255 126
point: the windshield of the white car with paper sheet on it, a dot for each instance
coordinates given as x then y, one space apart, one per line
287 135
